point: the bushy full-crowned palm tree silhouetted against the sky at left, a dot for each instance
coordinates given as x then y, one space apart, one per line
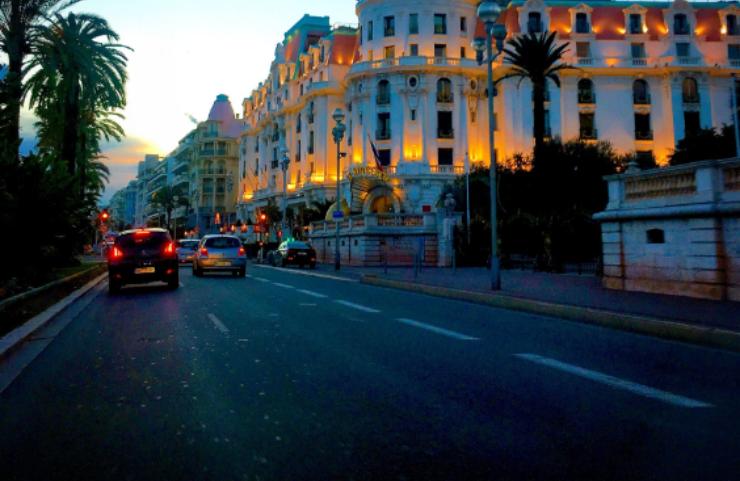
77 81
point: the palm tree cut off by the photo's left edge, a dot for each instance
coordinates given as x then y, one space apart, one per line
17 20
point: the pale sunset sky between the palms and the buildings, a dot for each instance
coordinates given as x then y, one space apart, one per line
186 52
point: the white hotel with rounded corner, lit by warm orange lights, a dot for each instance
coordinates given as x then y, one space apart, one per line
408 81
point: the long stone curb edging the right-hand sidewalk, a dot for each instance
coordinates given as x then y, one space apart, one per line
651 326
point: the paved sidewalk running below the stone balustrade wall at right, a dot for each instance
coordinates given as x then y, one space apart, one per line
569 289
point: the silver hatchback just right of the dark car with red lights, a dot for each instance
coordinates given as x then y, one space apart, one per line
220 253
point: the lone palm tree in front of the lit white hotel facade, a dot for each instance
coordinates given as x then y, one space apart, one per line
537 58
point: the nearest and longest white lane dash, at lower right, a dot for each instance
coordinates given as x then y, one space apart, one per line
615 382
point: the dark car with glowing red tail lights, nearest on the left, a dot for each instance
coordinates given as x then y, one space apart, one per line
142 256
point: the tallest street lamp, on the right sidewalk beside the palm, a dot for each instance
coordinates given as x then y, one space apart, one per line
489 12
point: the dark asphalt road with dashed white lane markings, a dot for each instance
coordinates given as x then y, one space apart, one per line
287 376
